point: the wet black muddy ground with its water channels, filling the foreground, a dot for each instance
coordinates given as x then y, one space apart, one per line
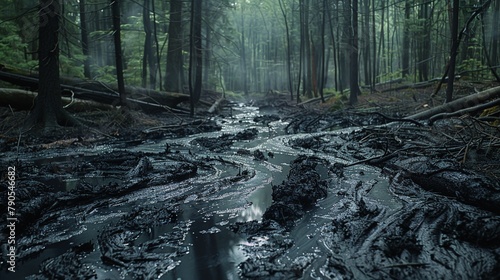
267 191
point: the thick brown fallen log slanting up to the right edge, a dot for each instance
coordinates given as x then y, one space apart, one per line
459 104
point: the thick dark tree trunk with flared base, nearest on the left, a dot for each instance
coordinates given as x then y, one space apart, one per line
48 111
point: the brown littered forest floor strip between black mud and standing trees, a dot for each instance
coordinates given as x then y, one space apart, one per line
124 125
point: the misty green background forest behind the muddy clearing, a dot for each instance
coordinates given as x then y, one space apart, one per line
301 46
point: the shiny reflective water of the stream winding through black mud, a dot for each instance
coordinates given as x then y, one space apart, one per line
214 250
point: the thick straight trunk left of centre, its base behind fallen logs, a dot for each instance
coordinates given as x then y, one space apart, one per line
173 72
